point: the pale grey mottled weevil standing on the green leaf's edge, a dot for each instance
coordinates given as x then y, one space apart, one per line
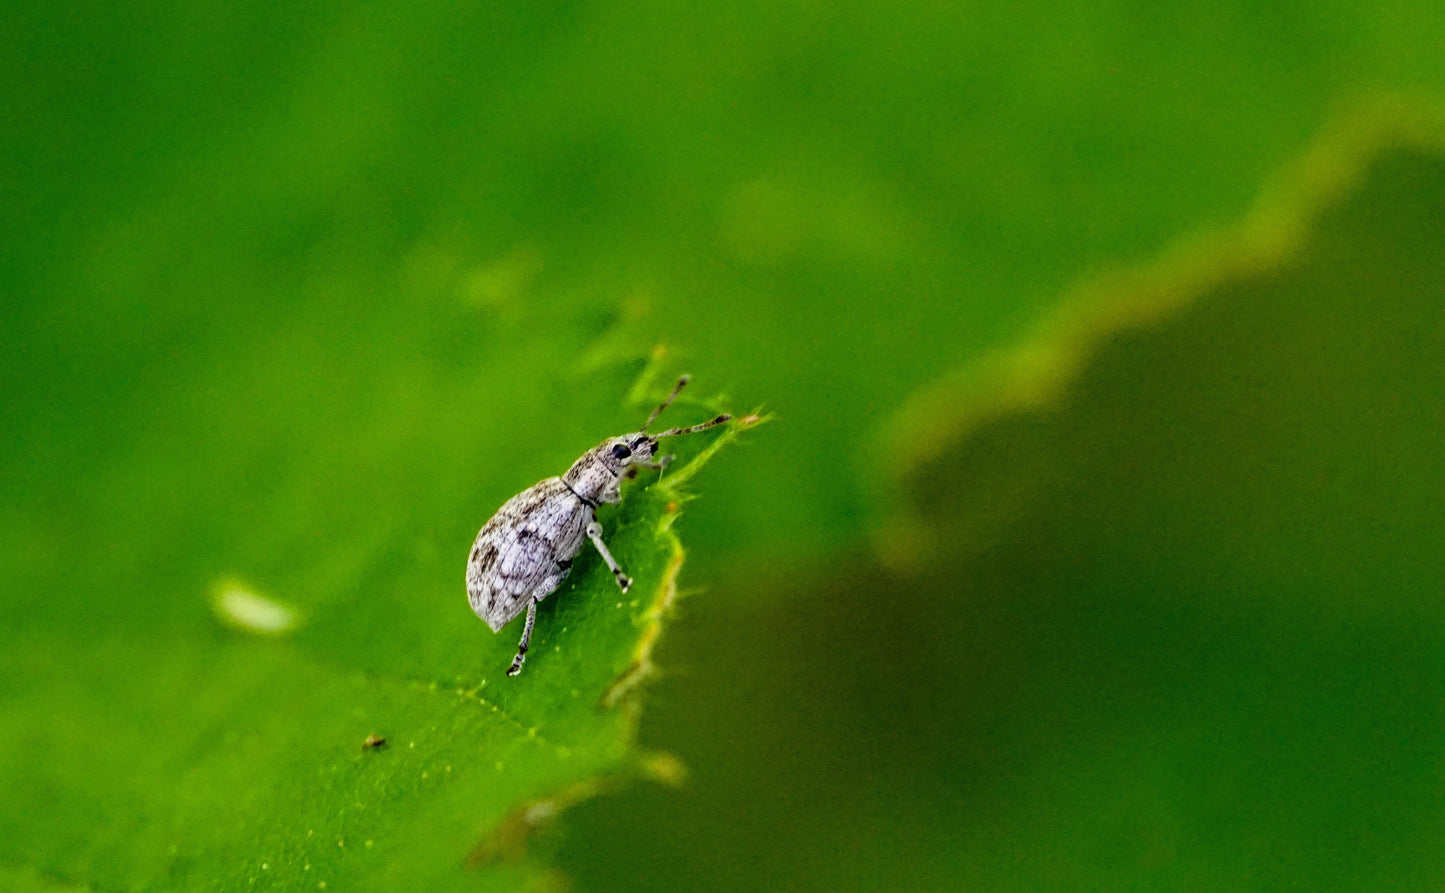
525 553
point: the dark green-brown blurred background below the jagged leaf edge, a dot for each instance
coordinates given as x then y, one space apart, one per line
1206 652
